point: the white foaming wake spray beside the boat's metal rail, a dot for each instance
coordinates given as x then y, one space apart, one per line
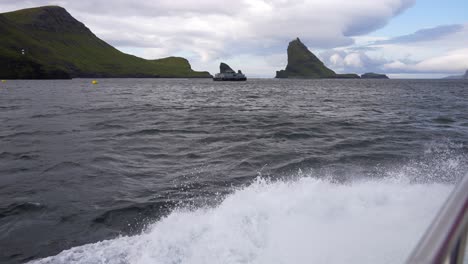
302 221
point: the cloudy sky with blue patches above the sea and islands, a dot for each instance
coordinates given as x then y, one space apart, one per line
404 38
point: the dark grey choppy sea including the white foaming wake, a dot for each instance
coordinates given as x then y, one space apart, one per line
195 171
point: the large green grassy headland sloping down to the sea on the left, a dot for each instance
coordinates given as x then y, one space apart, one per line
48 43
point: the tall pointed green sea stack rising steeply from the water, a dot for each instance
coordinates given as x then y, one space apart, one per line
303 64
